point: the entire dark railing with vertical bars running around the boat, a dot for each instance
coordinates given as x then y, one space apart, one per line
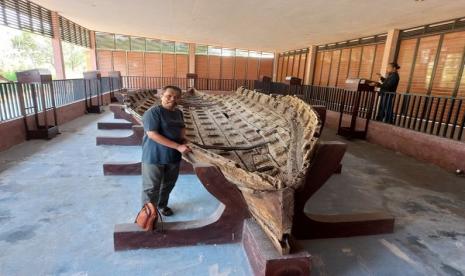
440 116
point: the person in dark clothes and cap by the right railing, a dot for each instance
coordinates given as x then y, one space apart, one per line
388 87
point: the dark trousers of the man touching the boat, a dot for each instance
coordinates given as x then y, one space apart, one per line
158 182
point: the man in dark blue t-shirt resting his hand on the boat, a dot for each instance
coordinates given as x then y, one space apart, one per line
162 146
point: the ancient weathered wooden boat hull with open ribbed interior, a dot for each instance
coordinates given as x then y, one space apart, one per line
263 144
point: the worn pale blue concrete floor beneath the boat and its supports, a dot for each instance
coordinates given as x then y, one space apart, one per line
57 213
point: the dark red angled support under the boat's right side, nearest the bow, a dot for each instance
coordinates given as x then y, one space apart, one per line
310 226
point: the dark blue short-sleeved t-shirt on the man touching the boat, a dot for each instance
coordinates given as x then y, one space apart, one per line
167 123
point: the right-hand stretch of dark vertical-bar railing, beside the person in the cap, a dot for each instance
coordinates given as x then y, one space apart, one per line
440 116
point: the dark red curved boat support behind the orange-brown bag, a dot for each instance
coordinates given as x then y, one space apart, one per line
223 226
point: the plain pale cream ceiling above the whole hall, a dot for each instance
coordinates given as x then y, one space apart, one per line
267 25
